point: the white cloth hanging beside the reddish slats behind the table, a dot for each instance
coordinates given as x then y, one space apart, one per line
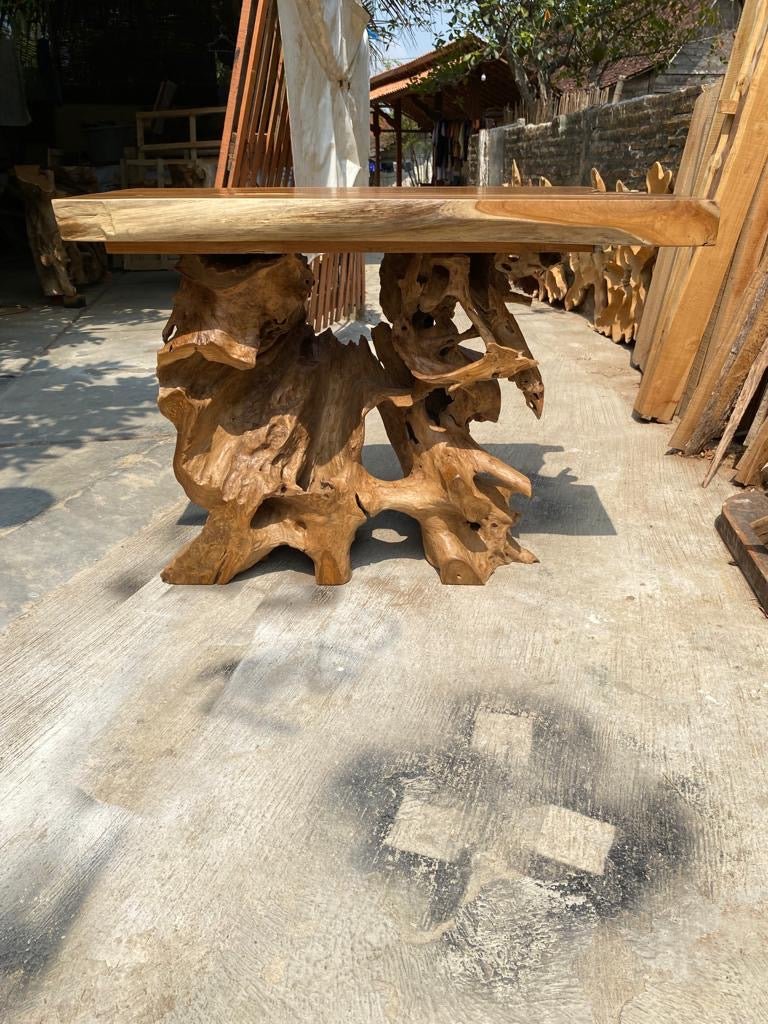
325 47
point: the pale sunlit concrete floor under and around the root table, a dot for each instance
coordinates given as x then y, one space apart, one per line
393 802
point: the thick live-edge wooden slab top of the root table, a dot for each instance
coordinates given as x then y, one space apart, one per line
436 221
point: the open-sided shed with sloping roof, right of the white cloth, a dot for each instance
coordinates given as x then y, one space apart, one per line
433 94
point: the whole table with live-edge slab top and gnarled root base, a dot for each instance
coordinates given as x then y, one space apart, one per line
271 417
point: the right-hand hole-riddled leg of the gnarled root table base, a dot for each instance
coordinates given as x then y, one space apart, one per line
459 494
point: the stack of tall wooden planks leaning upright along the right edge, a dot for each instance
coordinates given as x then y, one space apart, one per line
702 344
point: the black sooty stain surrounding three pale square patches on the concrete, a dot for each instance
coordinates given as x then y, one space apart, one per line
573 764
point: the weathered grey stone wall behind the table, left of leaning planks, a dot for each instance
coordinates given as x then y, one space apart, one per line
622 141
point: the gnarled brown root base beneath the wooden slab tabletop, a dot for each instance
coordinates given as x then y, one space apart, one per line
271 417
